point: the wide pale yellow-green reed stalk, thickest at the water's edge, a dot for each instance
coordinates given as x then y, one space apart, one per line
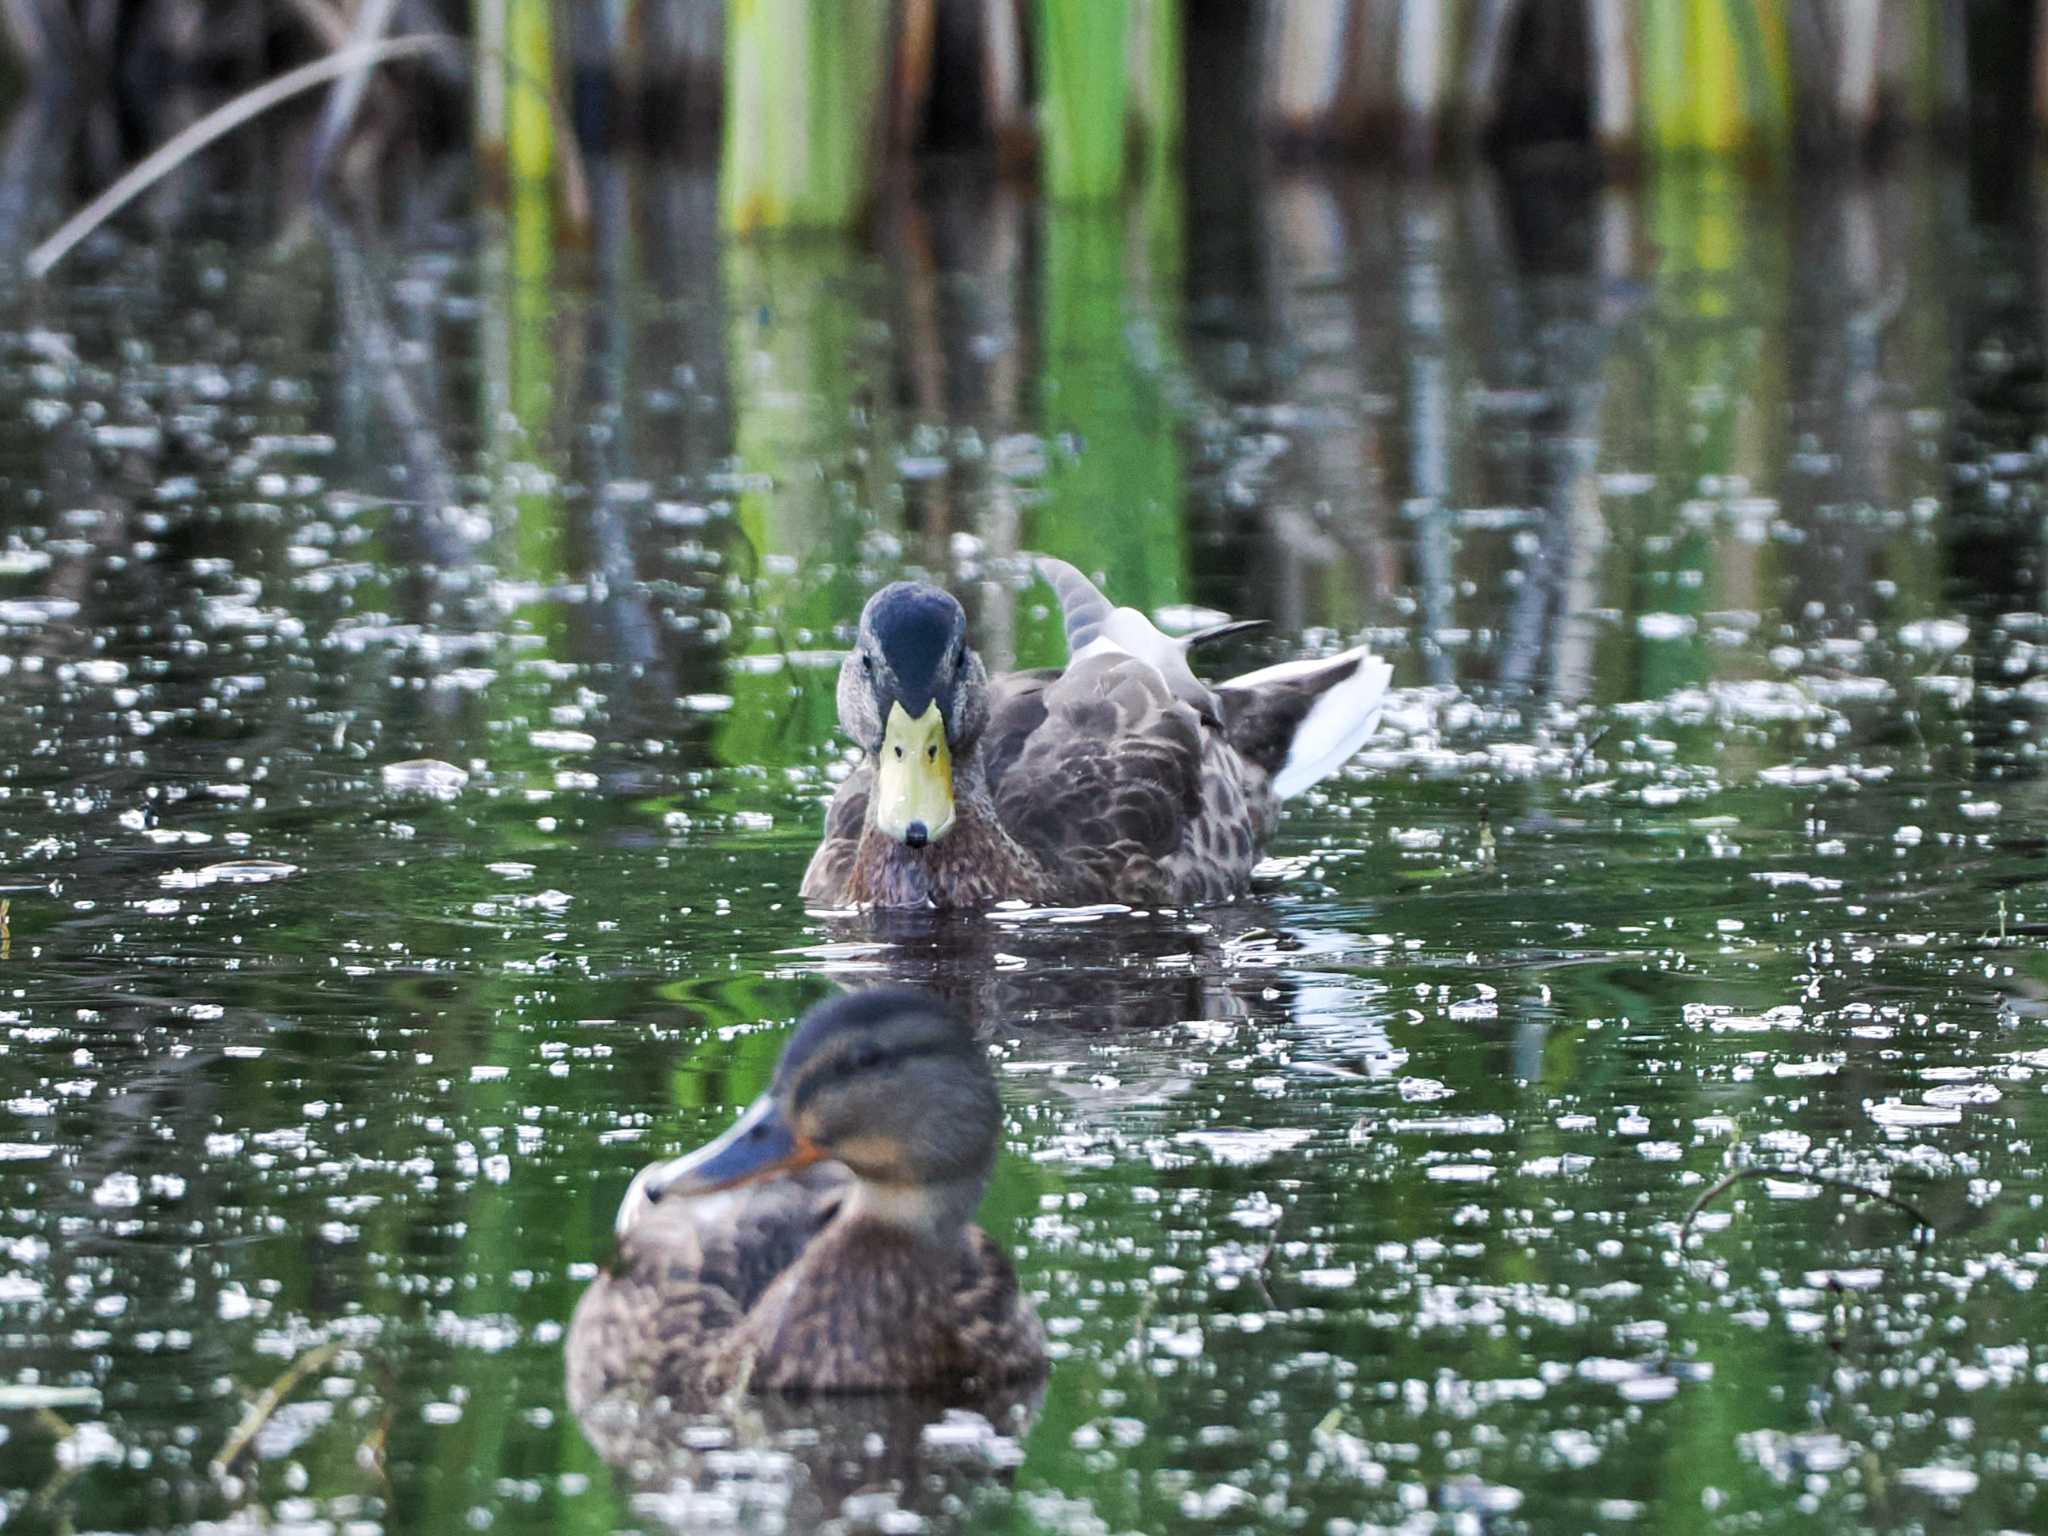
804 89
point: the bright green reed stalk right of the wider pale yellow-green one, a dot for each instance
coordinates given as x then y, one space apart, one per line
1082 52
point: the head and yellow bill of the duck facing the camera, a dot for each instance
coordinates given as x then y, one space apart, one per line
914 695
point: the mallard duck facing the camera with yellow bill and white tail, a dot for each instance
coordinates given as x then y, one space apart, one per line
1119 777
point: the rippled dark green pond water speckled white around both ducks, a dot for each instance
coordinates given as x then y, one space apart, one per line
415 718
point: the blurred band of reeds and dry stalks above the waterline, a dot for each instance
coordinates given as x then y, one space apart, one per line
814 105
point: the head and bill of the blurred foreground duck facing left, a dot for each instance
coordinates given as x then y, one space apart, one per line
884 1082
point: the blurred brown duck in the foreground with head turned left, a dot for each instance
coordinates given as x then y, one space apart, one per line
826 1242
